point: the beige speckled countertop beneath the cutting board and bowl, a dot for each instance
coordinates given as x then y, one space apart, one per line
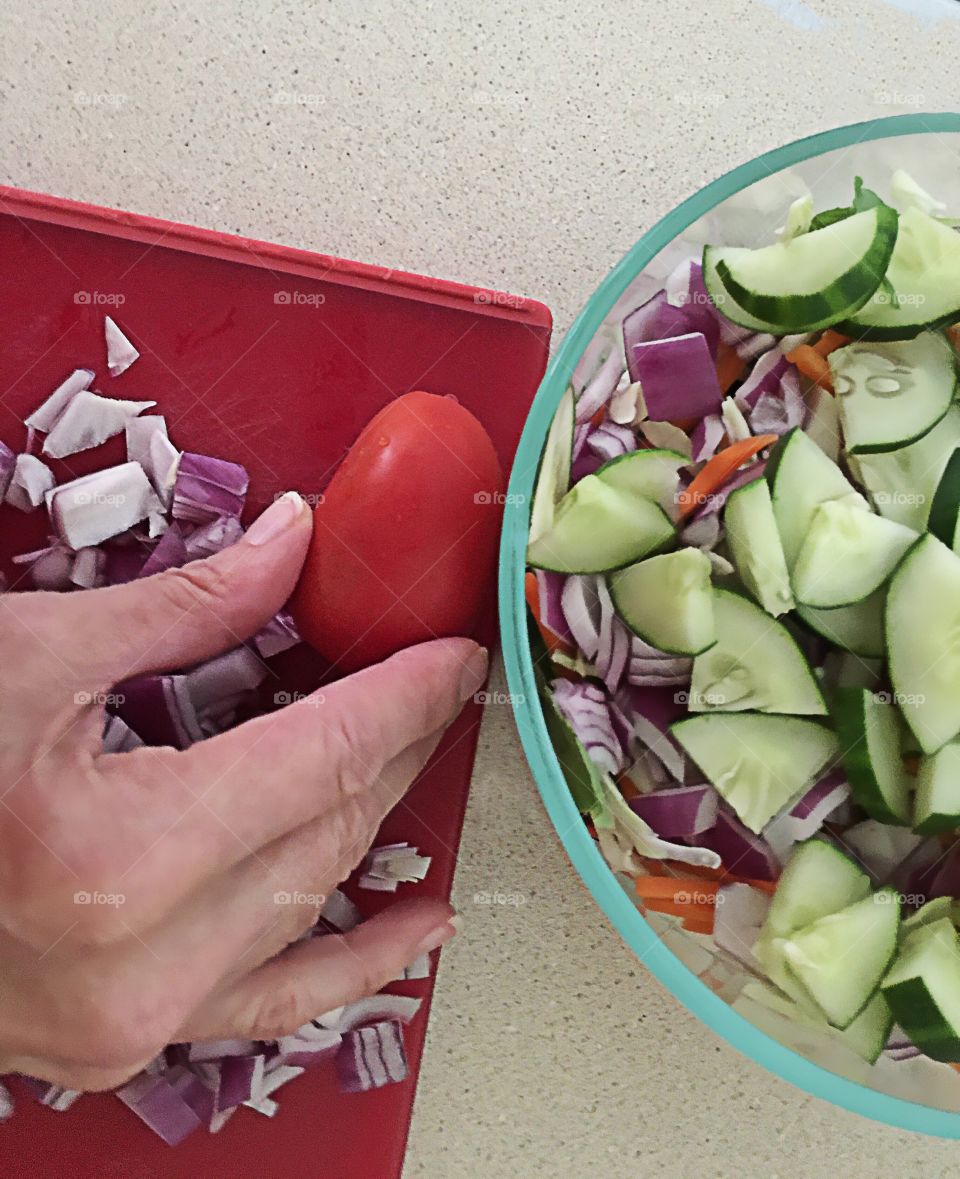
522 146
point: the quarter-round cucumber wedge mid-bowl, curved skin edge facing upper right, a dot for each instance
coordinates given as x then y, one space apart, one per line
755 666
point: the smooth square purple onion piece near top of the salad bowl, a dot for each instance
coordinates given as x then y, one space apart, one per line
678 377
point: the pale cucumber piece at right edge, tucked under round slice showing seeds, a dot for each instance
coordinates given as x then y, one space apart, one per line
903 484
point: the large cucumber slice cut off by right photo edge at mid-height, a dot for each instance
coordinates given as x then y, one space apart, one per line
923 624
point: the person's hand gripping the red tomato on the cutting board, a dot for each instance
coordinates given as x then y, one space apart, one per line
193 846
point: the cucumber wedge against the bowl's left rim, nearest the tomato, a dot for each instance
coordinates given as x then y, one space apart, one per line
597 529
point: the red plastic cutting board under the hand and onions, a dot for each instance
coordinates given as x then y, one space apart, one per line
274 358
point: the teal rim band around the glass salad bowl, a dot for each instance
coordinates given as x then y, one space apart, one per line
587 859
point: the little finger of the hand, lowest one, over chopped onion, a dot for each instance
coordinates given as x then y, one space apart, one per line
318 976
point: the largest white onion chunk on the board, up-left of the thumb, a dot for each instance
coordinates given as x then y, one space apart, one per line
106 504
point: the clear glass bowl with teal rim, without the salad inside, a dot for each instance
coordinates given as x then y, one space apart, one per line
824 162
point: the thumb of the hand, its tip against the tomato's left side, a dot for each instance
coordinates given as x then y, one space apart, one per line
187 615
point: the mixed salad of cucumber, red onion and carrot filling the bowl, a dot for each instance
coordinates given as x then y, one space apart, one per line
745 591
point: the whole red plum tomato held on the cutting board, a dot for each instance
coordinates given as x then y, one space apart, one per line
405 541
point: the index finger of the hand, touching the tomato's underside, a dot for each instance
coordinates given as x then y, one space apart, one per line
218 803
